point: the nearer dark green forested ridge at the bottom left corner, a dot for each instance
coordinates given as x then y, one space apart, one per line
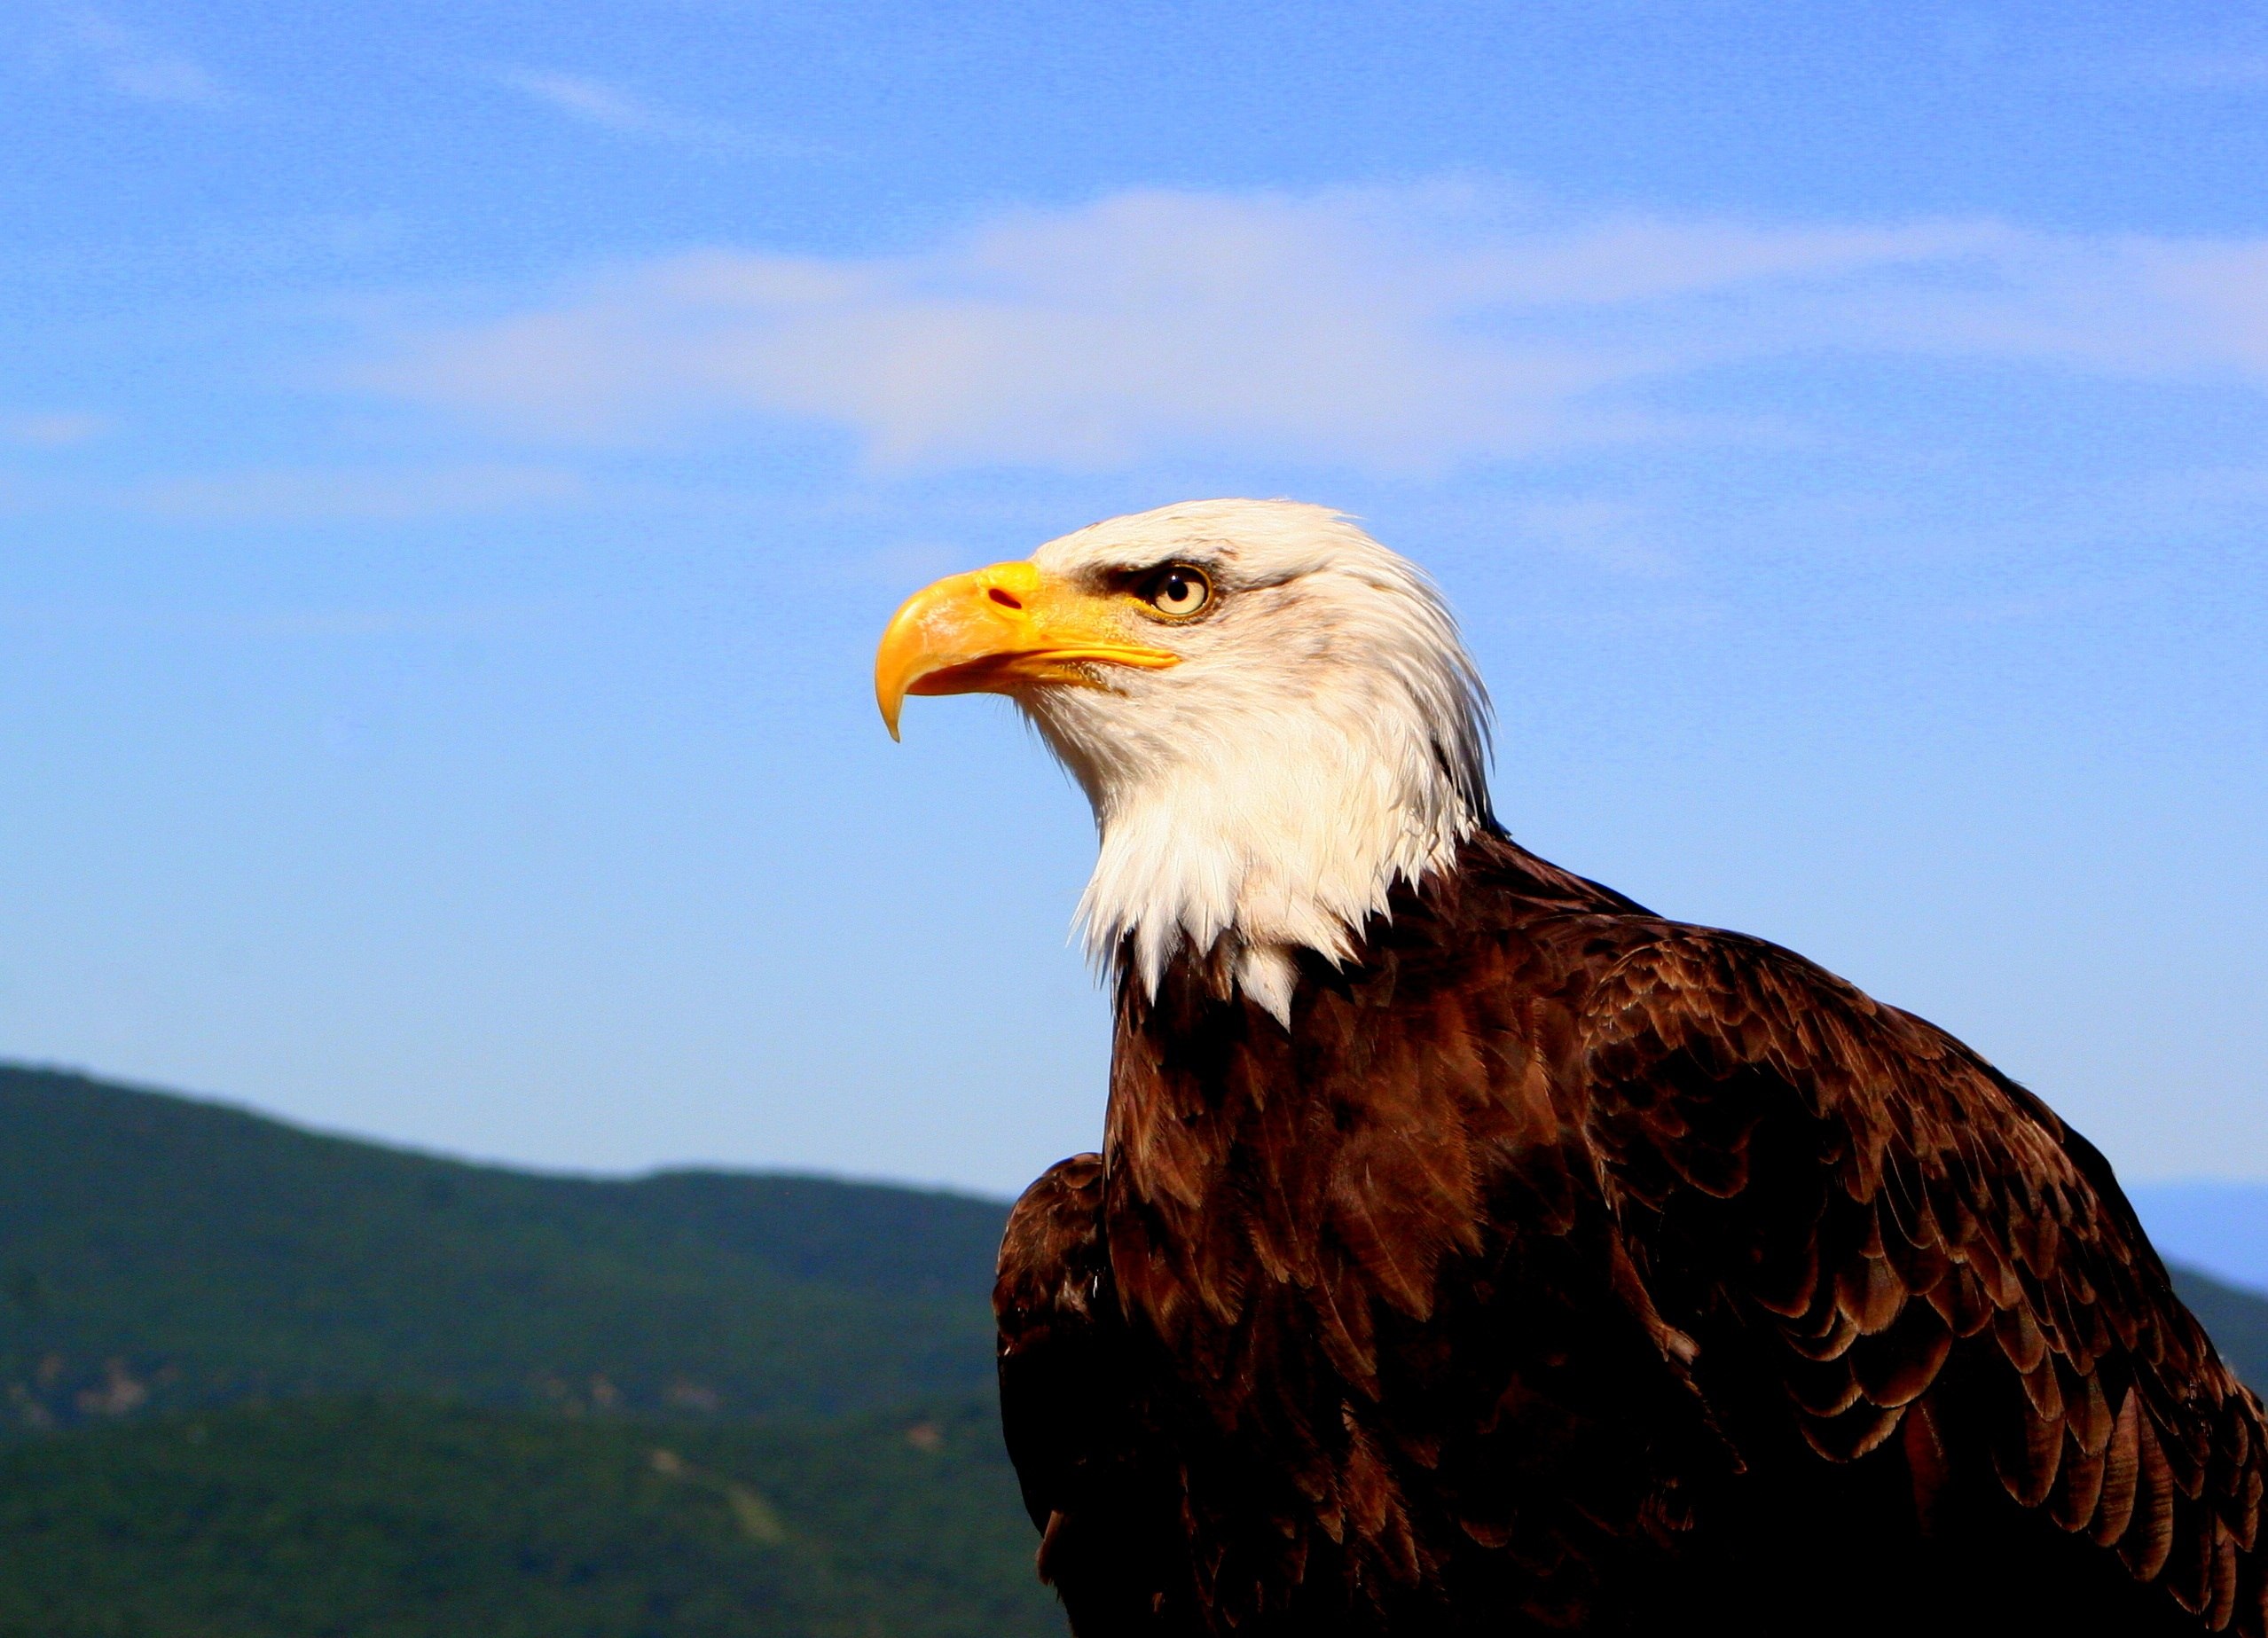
412 1521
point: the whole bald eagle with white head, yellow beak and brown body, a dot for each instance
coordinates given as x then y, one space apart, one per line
1475 1251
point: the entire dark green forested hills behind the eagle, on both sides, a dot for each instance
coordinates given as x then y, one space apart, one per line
273 1385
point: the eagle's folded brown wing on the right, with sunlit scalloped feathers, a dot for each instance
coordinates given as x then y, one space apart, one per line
1915 1249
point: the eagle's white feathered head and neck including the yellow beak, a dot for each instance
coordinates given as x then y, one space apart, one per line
1273 718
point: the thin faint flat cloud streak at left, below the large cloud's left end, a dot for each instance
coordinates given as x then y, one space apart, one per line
301 496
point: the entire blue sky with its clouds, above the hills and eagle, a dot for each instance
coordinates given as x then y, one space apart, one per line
455 462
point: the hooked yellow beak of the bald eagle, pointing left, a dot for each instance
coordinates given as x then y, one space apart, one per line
999 630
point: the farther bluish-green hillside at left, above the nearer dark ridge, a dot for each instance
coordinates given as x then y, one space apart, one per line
164 1253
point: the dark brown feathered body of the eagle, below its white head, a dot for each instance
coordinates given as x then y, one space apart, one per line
1568 1269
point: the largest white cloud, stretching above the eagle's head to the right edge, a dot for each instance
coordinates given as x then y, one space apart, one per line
1391 330
